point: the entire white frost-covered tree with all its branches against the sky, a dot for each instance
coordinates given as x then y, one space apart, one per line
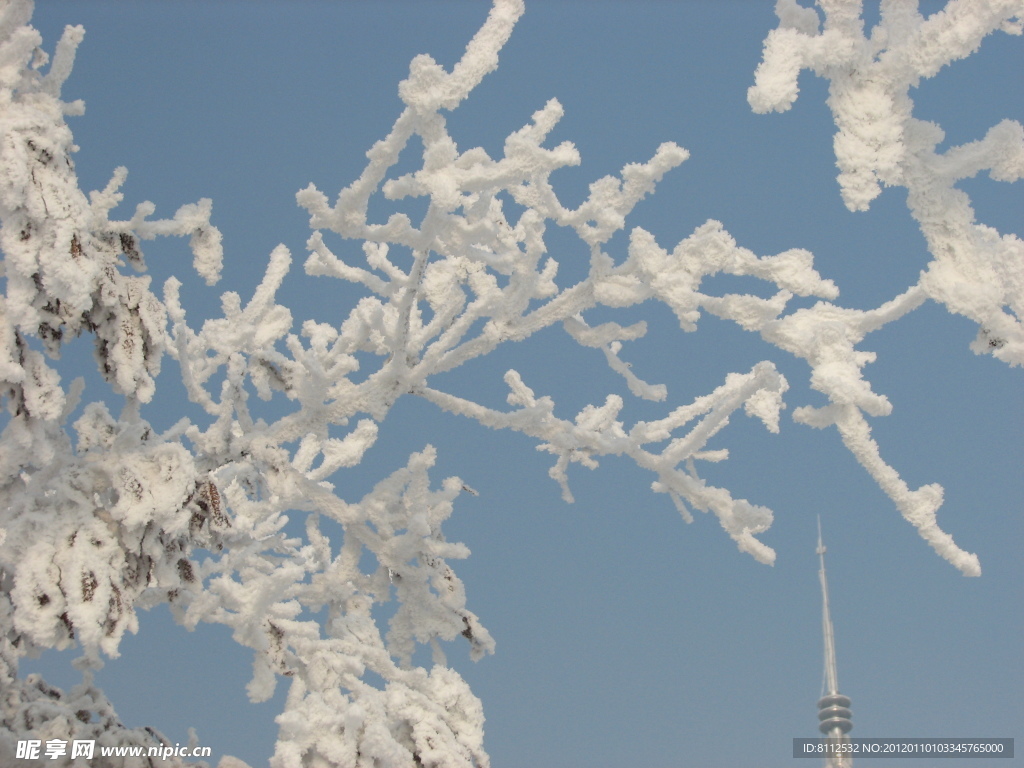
222 517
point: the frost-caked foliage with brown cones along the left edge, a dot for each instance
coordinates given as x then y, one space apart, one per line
95 528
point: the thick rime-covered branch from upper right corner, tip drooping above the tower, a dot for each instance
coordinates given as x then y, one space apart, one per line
975 272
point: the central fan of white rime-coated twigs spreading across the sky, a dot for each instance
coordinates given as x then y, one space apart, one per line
478 280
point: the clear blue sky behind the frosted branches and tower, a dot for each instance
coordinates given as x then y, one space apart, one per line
625 636
